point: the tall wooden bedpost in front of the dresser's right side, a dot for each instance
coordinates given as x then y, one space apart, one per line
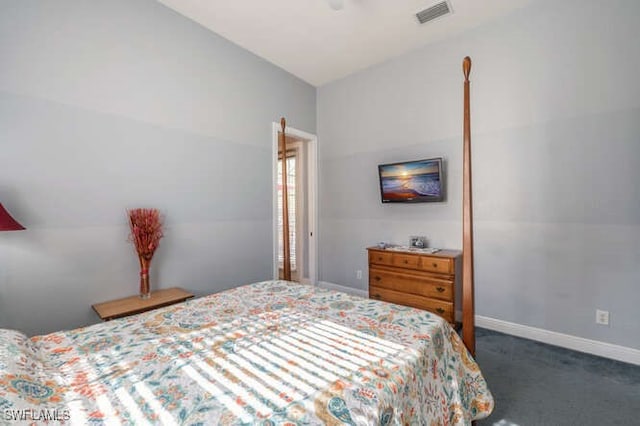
468 309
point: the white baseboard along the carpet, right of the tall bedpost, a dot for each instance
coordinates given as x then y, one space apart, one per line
606 350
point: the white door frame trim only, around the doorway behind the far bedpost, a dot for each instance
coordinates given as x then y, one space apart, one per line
312 211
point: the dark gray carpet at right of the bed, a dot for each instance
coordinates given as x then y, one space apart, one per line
538 384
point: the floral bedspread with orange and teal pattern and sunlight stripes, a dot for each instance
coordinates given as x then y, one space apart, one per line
270 353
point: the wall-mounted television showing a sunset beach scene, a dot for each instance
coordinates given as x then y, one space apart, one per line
412 181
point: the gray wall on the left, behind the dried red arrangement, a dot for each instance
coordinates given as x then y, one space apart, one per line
112 105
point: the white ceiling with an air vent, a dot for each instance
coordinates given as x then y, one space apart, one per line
319 44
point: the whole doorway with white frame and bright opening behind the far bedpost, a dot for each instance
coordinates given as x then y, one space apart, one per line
301 158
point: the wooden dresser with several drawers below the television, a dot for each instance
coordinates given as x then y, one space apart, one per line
411 278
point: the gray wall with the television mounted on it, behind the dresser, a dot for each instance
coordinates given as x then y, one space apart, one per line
556 155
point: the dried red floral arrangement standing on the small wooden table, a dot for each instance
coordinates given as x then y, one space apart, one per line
146 232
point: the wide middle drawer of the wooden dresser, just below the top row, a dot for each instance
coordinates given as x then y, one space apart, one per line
409 283
